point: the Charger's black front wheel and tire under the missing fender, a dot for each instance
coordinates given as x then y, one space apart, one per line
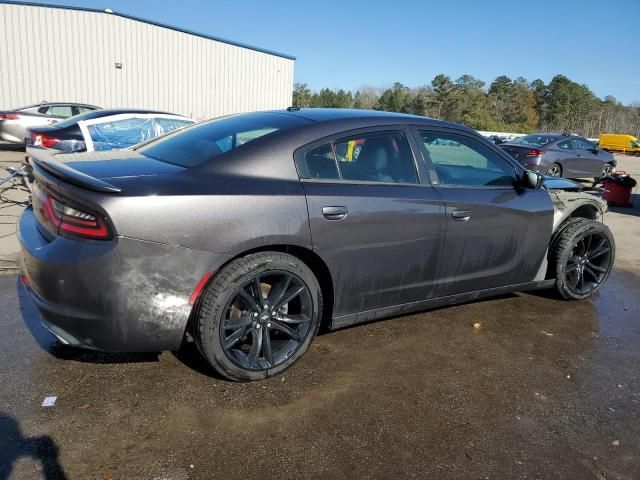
582 254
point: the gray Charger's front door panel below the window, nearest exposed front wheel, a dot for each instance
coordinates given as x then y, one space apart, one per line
503 241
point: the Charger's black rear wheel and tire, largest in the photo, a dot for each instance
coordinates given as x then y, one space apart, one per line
258 316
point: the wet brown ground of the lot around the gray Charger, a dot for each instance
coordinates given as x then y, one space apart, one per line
543 389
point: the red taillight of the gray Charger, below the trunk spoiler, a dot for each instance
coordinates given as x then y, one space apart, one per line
64 217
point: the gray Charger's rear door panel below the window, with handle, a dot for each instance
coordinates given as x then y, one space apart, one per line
386 250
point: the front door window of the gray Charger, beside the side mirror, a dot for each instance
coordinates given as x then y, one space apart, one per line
463 161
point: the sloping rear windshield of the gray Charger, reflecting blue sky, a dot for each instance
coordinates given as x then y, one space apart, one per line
203 142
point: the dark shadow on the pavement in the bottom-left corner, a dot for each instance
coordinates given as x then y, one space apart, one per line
15 446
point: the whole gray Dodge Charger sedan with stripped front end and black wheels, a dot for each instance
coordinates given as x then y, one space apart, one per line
251 232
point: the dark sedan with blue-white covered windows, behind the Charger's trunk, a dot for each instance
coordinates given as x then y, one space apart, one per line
106 129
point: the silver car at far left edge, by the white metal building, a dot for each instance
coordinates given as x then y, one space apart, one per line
13 123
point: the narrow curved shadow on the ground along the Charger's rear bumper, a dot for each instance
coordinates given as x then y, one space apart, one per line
47 341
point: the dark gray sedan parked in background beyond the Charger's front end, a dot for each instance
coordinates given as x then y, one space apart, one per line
561 155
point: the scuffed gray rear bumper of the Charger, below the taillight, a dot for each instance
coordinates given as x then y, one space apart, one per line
122 295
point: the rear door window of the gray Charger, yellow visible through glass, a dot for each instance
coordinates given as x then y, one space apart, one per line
383 157
